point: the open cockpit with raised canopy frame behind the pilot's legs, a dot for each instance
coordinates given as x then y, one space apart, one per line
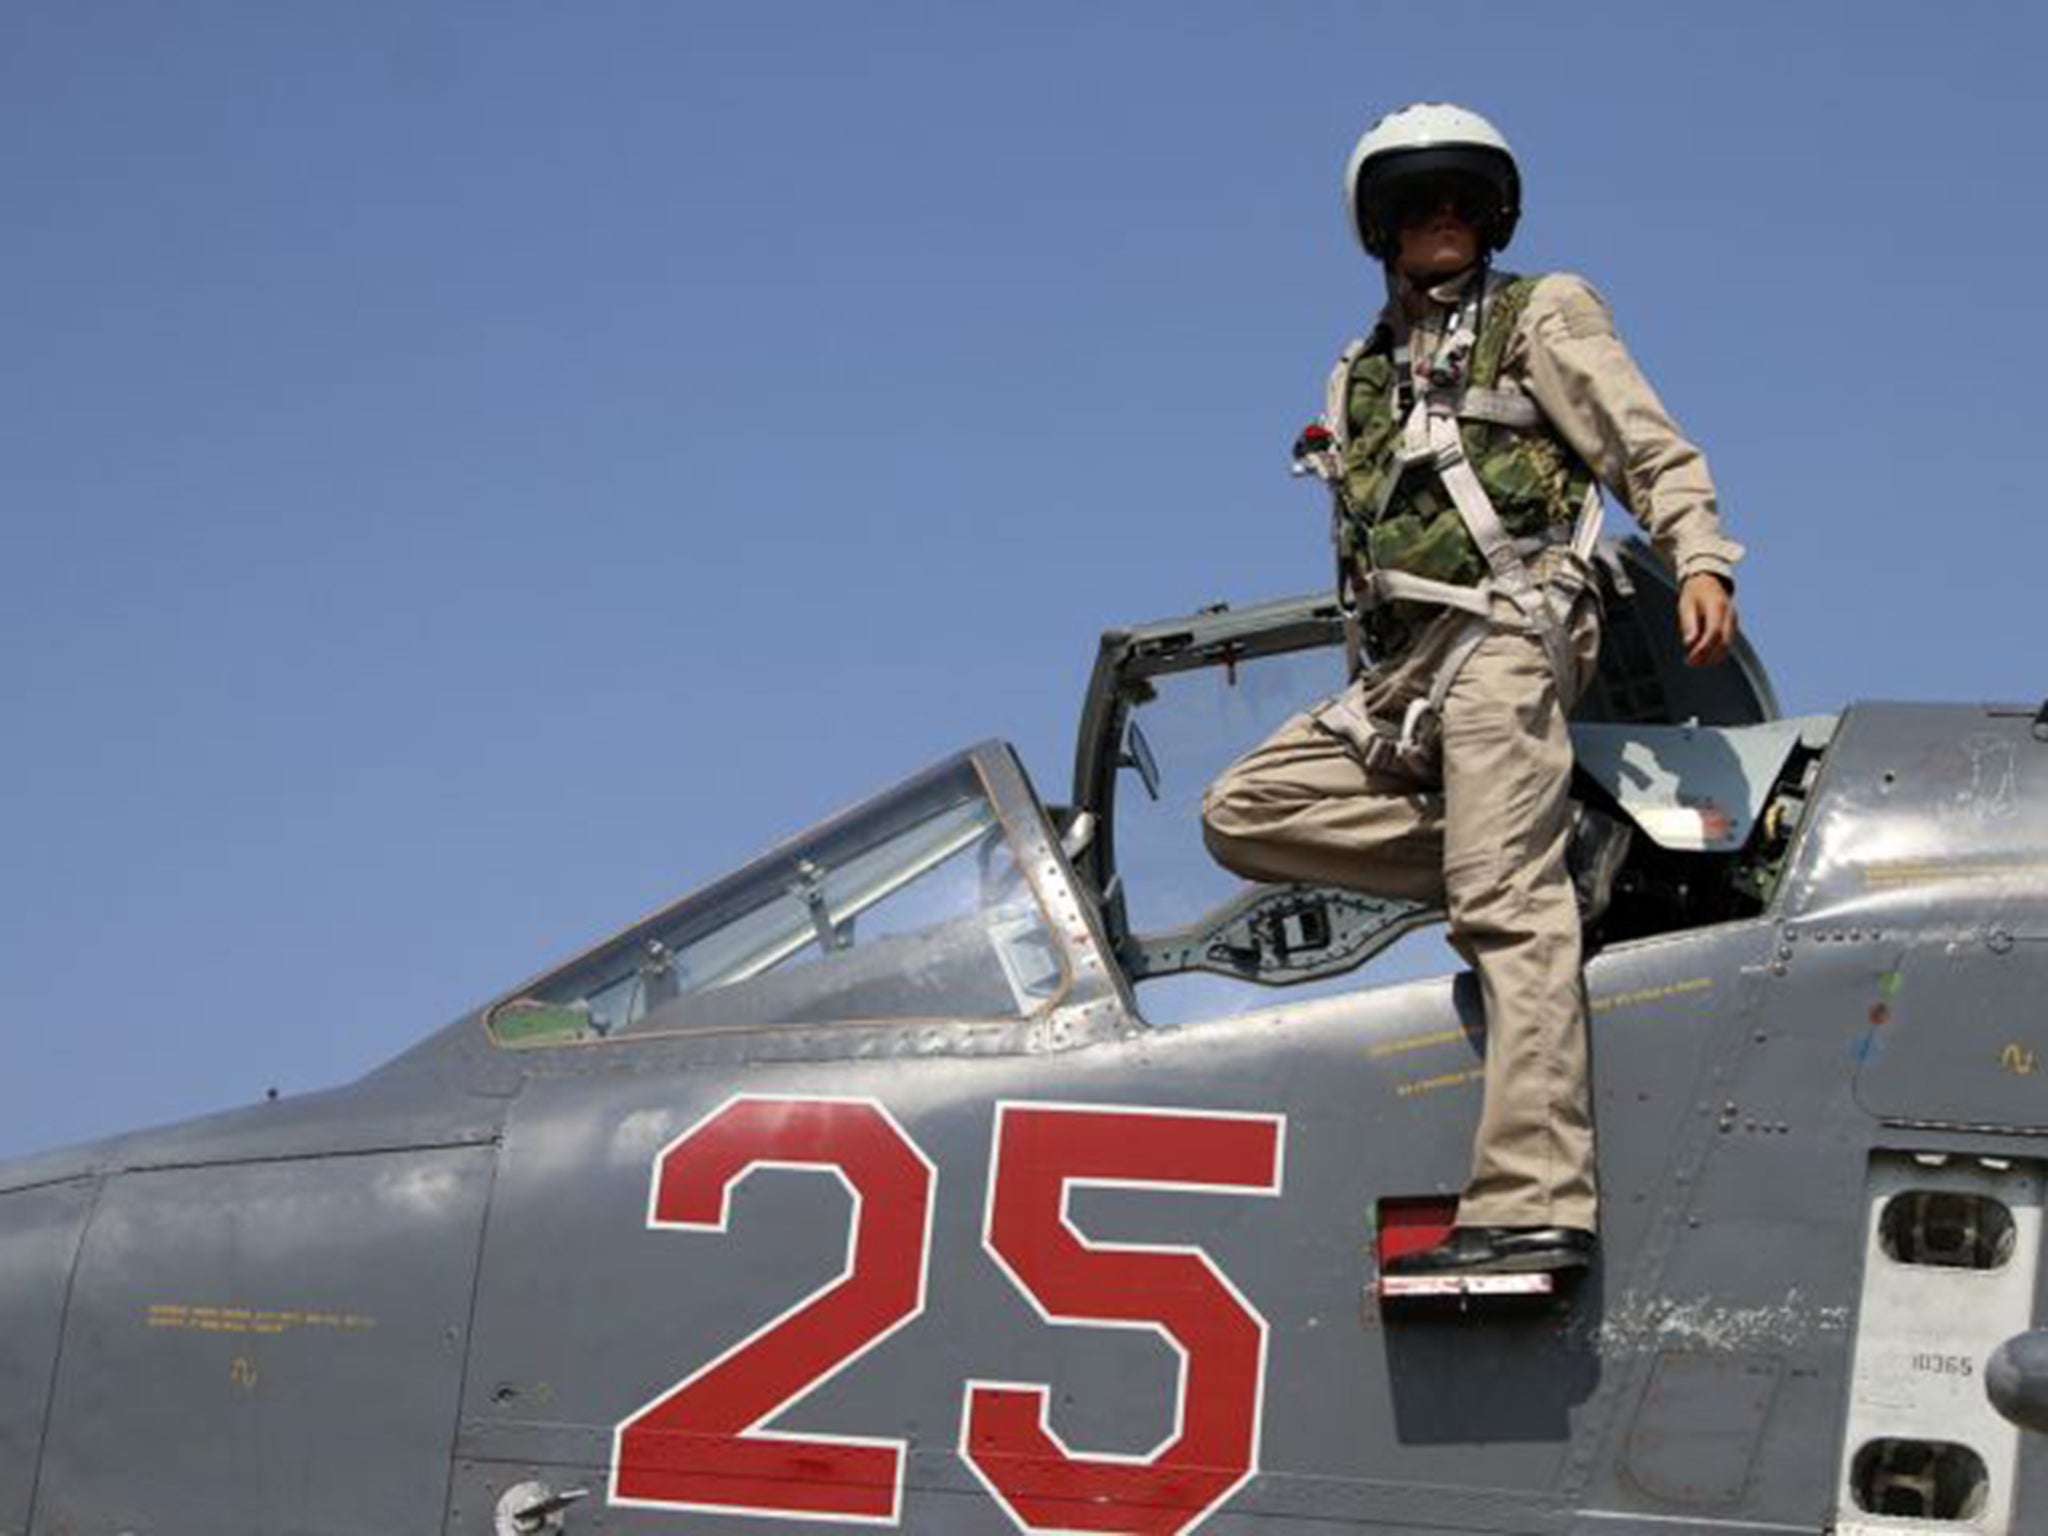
1695 763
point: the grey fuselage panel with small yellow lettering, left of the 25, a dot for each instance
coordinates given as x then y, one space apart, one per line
267 1349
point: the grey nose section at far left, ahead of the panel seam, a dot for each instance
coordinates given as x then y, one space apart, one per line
40 1234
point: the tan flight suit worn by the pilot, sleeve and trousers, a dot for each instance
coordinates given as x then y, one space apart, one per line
1484 830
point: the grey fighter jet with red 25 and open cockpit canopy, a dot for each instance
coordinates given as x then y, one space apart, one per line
986 1164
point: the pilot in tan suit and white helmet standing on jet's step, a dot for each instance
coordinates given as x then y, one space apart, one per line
1465 441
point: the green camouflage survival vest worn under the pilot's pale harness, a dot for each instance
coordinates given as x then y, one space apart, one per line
1398 517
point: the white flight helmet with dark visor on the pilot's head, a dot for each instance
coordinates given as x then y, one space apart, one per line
1422 142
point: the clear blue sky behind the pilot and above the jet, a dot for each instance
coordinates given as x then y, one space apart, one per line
474 472
